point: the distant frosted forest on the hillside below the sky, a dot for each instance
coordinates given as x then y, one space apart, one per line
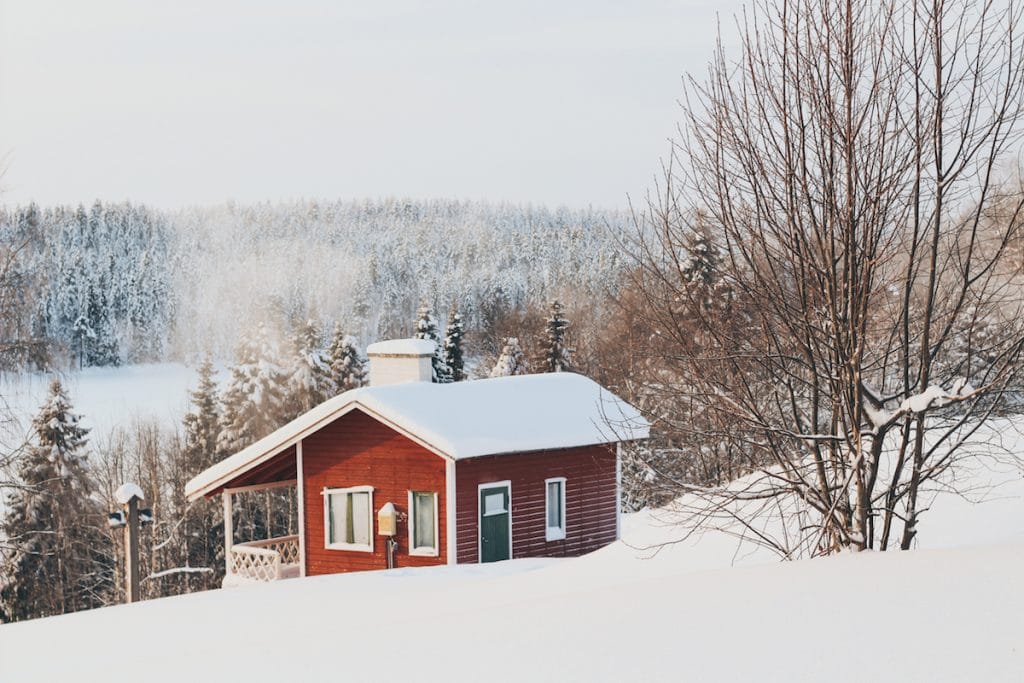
122 283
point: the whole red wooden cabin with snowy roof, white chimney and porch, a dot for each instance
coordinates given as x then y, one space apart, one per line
475 472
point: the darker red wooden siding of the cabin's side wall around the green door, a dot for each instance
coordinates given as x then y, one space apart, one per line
590 500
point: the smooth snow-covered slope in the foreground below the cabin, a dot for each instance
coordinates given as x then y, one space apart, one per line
700 611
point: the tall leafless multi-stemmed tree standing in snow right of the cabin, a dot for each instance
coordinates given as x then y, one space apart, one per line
849 164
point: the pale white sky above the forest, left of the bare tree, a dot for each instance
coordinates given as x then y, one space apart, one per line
186 102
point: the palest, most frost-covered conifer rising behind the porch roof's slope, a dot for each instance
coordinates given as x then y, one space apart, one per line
252 405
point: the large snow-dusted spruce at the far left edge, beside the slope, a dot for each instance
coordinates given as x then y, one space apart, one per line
60 559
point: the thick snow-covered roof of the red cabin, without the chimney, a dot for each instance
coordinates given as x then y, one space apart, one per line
462 420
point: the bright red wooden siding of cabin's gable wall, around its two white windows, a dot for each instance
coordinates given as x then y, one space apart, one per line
358 451
